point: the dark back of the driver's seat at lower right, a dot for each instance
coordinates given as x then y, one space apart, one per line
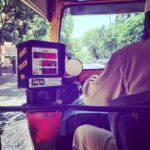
131 129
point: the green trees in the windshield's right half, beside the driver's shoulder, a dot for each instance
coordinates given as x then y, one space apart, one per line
103 41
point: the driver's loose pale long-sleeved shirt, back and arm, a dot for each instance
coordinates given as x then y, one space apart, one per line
127 72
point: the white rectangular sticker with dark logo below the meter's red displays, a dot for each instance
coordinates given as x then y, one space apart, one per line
44 82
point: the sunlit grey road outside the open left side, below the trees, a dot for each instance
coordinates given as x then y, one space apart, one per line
13 126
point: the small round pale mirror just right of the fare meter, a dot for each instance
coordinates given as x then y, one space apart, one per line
73 67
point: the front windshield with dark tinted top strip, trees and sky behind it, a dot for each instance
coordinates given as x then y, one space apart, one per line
94 37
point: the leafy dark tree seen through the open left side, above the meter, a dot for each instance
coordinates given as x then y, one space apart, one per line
18 23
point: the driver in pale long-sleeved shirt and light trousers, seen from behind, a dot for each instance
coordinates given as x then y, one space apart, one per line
126 73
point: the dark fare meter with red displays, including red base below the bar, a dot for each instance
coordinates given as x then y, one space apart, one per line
40 71
